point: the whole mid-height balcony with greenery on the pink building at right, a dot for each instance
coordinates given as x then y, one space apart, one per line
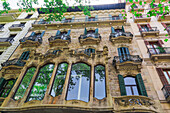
159 53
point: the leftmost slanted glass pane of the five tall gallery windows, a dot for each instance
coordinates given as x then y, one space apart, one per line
25 83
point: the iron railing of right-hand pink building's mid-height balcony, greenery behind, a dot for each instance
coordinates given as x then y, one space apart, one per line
159 50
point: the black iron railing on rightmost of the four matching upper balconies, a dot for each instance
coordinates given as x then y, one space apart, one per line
117 34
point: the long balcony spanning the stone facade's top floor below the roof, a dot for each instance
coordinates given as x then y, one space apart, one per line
78 23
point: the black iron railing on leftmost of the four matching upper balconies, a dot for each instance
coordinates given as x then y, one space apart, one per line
32 38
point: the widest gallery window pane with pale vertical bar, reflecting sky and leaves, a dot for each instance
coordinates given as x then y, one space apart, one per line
79 83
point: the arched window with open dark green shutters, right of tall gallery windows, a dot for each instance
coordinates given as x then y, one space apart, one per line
132 85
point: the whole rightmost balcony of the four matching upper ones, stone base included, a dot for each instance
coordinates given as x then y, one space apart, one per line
121 37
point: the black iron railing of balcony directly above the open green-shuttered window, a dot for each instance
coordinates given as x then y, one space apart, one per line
126 57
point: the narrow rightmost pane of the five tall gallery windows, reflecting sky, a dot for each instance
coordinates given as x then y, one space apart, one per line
99 89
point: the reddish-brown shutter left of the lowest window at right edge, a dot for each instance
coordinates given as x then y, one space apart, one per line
162 76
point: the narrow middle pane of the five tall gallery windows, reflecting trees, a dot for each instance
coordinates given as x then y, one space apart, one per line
59 80
